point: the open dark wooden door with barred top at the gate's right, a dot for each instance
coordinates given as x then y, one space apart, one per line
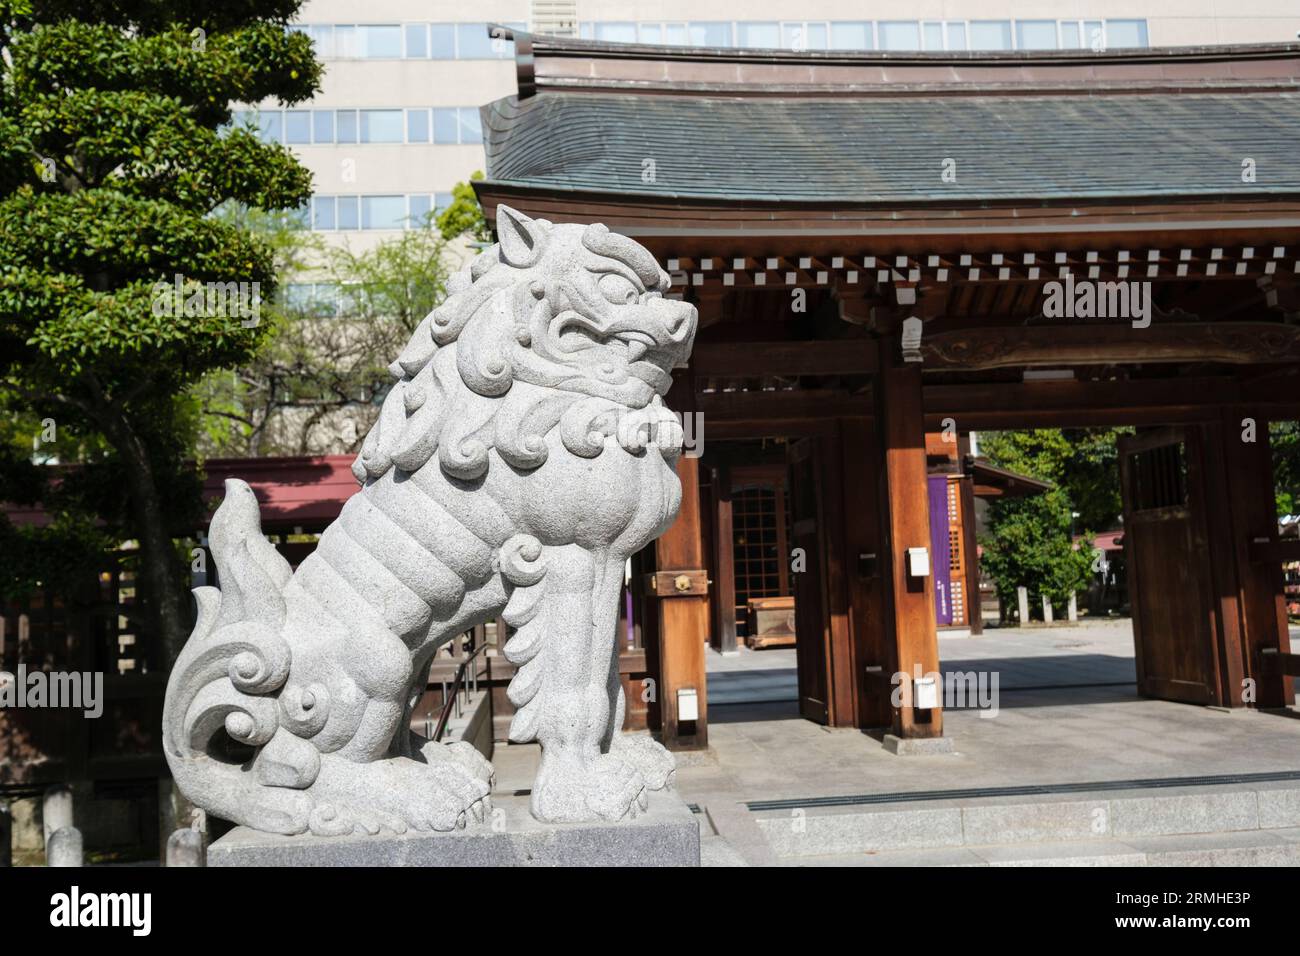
1168 559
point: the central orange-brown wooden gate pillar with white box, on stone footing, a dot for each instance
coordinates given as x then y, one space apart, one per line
907 504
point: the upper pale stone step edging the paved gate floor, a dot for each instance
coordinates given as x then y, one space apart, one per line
1087 819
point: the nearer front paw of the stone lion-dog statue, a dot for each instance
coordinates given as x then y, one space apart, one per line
606 788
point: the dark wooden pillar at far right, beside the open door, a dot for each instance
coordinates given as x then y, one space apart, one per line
1262 598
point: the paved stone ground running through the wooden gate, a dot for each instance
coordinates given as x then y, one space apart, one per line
1068 713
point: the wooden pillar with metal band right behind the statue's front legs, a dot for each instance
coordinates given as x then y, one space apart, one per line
682 620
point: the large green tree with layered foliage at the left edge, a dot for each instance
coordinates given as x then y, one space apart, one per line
116 146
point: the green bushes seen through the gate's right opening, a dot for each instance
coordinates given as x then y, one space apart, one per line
1030 542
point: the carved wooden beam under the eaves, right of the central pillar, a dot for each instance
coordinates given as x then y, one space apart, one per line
1061 347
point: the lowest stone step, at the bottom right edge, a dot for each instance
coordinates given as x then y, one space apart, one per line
1242 849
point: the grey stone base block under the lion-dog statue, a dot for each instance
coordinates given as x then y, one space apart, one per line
668 834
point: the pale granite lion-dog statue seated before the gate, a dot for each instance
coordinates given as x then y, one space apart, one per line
522 457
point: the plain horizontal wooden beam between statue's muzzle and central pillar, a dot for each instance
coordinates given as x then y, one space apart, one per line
756 360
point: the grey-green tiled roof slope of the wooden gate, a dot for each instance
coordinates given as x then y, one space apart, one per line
892 150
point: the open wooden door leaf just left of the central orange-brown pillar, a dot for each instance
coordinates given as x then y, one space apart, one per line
812 622
